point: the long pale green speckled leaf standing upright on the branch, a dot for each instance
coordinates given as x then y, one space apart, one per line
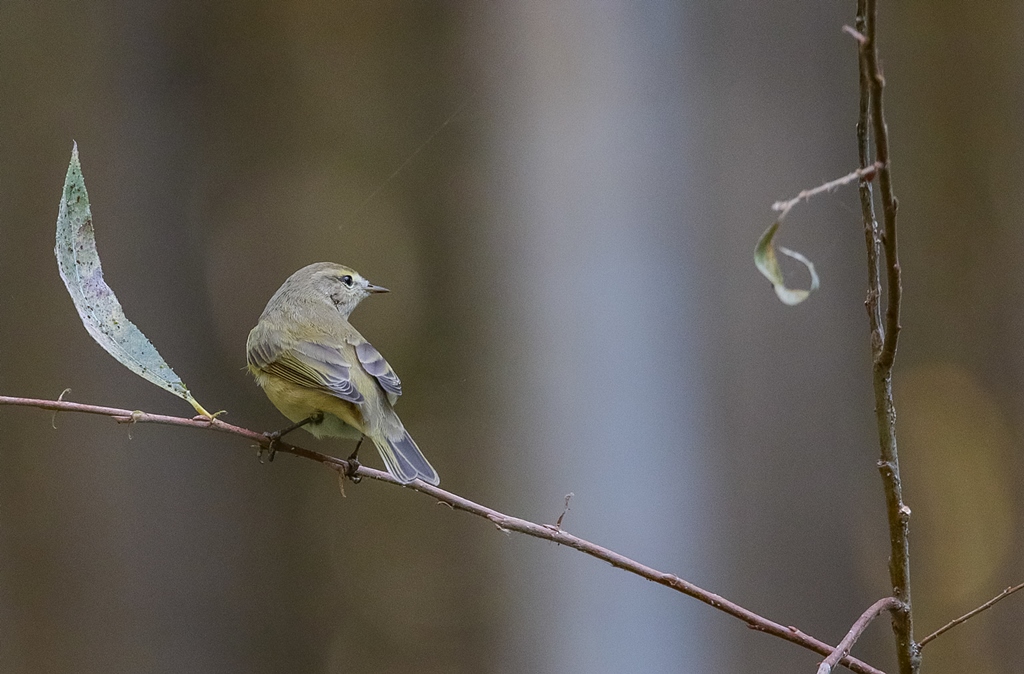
97 305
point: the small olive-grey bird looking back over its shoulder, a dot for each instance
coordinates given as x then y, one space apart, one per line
324 375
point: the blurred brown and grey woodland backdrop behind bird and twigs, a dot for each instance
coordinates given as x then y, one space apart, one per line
574 309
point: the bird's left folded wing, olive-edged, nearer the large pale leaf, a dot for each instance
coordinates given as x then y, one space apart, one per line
308 364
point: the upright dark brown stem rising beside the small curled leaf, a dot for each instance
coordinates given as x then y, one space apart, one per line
884 342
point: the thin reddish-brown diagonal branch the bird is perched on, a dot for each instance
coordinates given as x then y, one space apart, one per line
504 523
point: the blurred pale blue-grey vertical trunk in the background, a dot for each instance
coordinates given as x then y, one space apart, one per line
591 244
